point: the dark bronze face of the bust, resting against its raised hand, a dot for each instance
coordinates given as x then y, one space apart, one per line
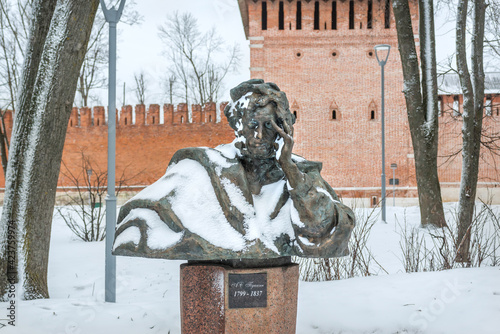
259 132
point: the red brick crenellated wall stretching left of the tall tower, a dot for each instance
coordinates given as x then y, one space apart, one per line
143 149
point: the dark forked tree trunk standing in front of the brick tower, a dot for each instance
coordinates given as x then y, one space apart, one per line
421 108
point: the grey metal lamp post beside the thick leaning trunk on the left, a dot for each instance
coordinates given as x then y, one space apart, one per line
112 16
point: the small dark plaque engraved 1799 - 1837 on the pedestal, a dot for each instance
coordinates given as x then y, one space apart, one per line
247 290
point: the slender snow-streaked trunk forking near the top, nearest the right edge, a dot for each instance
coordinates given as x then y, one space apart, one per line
473 93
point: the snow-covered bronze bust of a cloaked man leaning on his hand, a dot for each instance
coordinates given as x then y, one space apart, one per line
251 199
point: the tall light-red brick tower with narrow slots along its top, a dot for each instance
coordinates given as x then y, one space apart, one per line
321 53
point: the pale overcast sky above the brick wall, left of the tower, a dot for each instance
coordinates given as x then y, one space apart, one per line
140 48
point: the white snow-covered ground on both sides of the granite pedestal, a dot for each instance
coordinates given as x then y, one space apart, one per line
454 301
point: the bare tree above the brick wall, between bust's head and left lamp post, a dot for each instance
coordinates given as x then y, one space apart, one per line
195 57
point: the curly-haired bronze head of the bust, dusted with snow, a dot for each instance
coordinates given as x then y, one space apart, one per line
254 106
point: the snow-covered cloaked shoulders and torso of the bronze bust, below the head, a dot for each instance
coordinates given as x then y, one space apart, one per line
203 209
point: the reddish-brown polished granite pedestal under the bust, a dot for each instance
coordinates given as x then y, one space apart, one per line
219 298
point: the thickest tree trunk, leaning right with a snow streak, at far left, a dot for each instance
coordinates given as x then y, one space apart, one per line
57 45
